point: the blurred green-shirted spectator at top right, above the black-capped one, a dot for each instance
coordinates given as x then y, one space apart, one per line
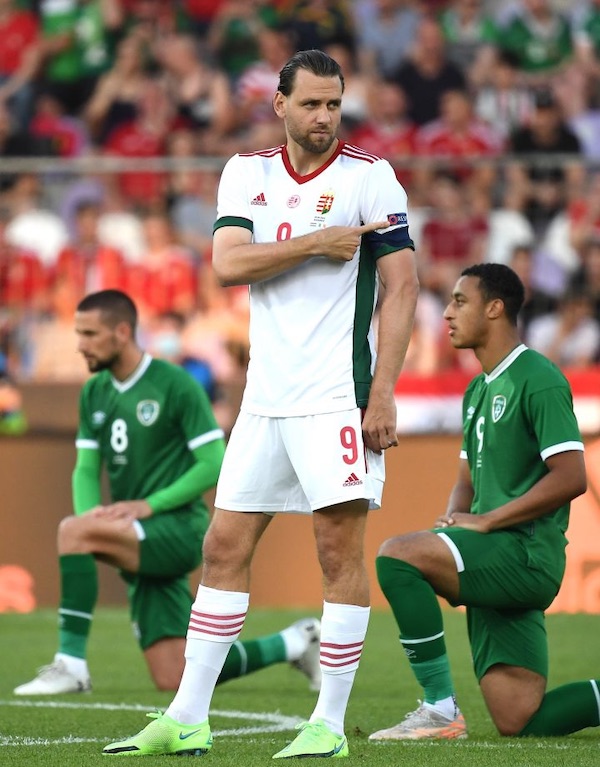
541 39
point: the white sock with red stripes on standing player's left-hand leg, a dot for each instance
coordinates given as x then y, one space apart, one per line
216 620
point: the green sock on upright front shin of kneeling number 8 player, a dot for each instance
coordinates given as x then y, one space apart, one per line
79 592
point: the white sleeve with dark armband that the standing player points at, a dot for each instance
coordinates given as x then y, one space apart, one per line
384 199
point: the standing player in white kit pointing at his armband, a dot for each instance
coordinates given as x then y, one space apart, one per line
312 227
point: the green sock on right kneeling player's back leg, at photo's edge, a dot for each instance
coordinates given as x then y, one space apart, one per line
566 709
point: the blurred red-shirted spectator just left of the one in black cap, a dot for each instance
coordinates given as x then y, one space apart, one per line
459 136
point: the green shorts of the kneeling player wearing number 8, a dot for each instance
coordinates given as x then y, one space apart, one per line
159 594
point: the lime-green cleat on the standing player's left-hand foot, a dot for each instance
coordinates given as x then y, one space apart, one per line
165 736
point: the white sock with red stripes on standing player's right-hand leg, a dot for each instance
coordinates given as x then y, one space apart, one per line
343 631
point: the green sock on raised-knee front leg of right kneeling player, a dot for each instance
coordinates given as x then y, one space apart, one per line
419 618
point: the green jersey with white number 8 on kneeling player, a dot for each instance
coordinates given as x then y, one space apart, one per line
145 427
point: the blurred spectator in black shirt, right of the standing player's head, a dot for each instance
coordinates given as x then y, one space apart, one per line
427 73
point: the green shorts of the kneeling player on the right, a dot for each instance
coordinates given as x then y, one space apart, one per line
505 598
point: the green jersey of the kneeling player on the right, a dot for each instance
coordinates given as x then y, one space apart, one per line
513 420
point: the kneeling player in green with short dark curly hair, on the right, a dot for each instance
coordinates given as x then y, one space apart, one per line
499 548
